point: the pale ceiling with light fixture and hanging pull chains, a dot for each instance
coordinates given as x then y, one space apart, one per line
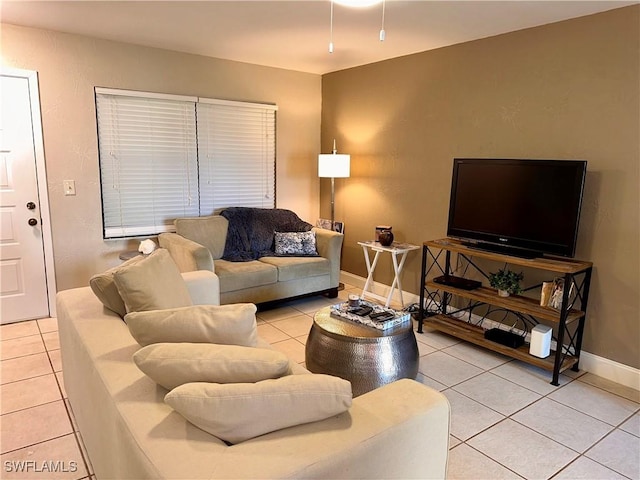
295 35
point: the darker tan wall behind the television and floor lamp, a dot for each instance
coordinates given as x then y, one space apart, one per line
565 91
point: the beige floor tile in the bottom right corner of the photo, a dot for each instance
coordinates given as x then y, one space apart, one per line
619 451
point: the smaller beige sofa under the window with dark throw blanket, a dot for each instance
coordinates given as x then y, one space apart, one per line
199 244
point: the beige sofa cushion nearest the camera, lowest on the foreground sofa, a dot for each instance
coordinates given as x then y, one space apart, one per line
240 411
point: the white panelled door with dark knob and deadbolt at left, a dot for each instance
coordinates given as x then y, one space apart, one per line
23 277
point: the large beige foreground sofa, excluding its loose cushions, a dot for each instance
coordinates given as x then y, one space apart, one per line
397 431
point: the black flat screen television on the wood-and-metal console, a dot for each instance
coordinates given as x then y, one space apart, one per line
526 208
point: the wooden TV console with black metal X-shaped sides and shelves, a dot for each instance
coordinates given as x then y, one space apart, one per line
444 315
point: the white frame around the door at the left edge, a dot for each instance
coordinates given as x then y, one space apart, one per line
41 179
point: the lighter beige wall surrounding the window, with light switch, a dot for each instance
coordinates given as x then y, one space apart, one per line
69 66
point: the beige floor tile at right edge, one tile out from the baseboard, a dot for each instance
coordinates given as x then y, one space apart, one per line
593 401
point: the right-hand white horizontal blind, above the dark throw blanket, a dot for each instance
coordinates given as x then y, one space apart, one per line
237 152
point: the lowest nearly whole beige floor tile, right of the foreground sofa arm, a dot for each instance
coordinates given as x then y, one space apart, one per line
522 450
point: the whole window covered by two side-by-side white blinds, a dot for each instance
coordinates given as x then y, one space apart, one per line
169 156
